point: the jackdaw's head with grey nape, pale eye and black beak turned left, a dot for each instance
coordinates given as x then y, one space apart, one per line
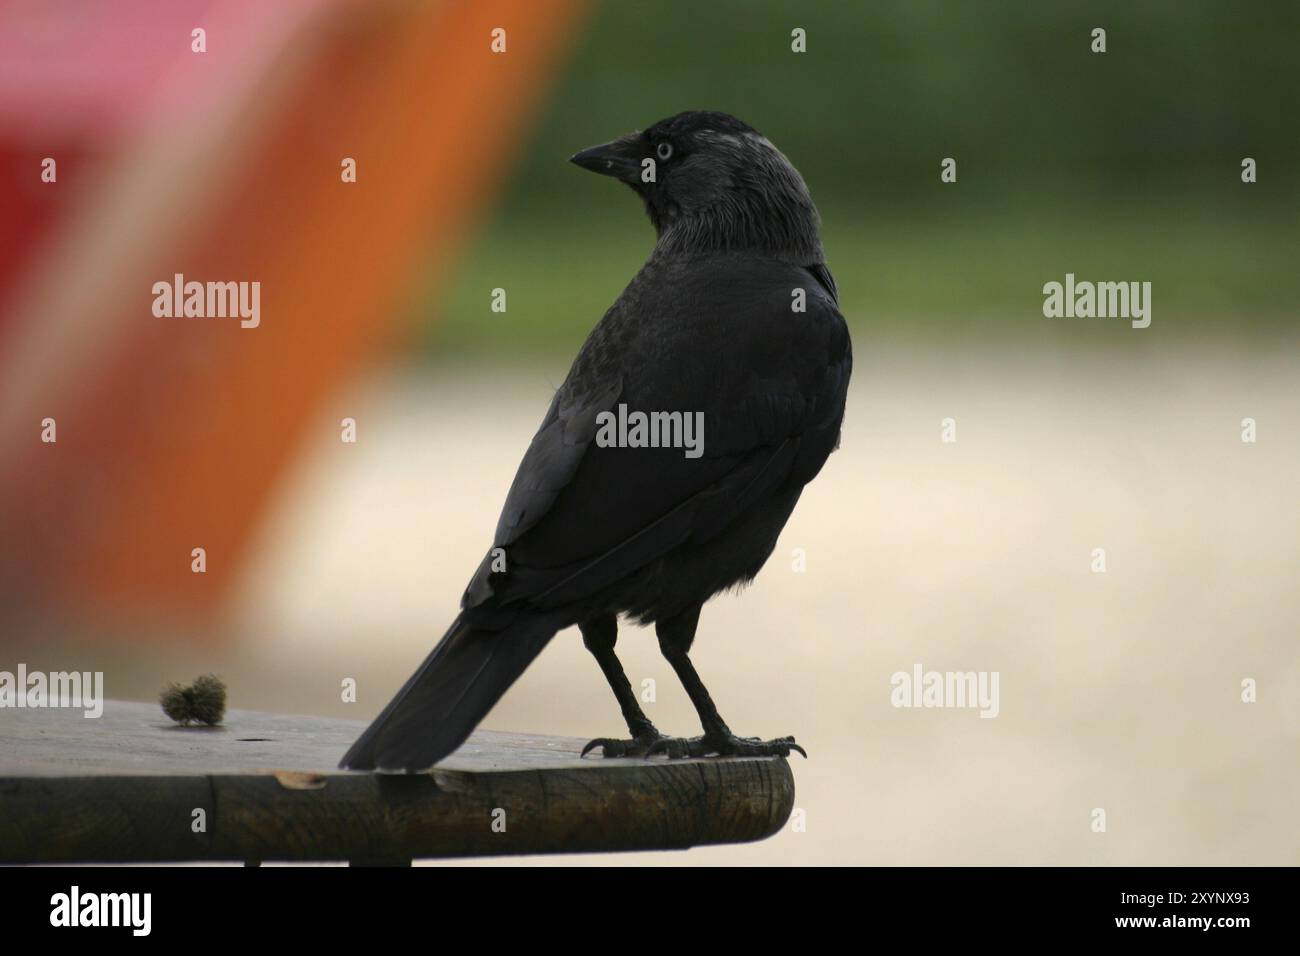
712 183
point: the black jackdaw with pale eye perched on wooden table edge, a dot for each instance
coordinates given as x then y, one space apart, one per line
734 317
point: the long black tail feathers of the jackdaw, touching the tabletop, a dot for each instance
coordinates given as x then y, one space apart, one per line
456 687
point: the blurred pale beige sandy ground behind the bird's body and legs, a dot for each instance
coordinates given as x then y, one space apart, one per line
1119 691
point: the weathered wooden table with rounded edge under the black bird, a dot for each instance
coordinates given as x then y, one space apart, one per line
133 788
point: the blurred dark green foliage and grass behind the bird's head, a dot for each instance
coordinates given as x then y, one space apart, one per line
1117 166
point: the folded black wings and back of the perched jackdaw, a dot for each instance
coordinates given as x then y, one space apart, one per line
721 338
